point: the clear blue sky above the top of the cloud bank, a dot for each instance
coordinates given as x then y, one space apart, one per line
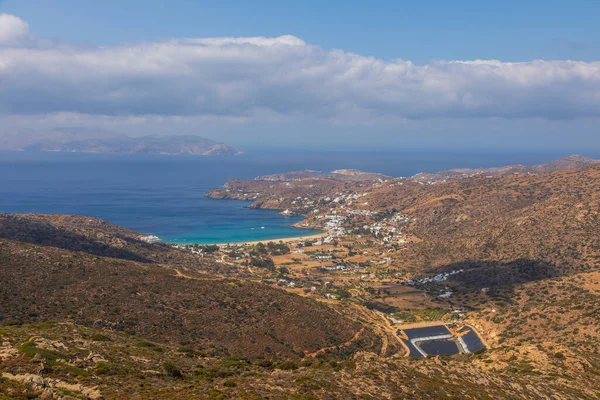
424 30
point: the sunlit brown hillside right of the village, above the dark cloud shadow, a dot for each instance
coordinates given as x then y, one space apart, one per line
551 218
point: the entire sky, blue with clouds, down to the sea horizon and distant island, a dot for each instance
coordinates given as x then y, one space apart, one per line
458 74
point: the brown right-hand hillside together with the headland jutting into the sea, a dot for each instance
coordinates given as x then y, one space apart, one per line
546 217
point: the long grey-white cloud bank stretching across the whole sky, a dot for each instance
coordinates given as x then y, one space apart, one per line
254 77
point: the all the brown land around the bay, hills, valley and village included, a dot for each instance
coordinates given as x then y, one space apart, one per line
481 286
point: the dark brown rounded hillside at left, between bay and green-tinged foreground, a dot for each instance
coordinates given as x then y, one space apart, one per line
64 279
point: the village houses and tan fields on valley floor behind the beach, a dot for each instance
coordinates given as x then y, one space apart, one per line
353 260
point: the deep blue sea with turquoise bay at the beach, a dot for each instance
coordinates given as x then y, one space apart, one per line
164 195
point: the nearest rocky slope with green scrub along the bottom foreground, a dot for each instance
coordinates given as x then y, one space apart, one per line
93 364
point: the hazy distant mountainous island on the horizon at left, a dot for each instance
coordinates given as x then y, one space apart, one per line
74 141
